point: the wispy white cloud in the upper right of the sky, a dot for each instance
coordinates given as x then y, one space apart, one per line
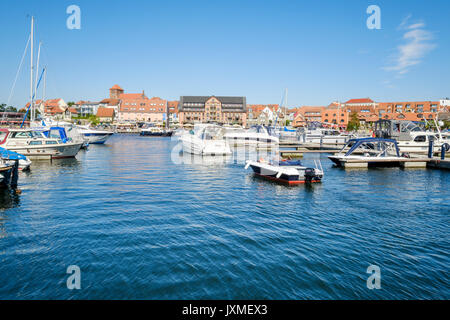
418 43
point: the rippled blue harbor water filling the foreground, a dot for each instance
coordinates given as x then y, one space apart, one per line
140 226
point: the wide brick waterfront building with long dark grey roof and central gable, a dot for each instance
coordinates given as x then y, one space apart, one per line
223 110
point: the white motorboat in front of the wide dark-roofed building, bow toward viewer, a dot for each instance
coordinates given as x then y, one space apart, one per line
205 140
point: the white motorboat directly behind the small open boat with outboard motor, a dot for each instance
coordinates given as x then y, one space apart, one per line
257 136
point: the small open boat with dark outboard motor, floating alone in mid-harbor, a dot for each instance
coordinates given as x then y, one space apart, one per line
288 172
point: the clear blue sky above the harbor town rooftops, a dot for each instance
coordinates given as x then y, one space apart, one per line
320 50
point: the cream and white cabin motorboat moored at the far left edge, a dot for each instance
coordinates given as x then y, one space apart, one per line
34 144
